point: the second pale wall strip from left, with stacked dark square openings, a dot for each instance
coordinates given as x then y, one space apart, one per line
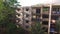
27 17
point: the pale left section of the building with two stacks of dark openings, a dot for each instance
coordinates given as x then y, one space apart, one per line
23 17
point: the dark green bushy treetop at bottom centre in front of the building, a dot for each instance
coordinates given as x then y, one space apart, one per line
37 29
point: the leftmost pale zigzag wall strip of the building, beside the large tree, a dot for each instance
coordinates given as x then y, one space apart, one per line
19 16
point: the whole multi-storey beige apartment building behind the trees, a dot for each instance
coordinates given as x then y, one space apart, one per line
46 14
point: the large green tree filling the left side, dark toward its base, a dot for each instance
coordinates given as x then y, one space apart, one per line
7 16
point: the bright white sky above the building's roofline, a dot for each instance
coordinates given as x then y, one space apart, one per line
34 2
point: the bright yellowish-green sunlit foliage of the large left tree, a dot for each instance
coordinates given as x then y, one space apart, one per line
5 9
